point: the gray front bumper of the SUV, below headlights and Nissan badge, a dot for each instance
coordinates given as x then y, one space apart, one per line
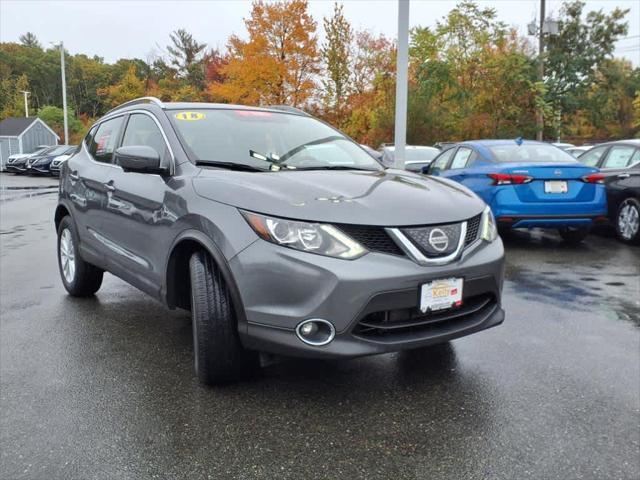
281 287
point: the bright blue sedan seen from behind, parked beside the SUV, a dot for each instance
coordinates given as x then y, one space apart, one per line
528 184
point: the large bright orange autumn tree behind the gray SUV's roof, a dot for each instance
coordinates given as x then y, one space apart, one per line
278 62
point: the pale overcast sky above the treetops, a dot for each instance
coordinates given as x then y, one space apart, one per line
115 29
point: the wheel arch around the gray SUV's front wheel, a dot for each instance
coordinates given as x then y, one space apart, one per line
177 281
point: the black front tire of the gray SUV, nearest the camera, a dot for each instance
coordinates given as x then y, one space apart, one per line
219 357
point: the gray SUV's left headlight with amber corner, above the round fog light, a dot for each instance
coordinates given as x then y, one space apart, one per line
317 238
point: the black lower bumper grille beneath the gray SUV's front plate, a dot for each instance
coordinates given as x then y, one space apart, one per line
409 323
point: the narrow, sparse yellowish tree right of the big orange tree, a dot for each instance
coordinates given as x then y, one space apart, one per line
336 56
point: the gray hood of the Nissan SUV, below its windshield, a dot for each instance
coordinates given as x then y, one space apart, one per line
384 198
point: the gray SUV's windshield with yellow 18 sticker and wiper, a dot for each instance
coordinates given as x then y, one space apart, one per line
262 139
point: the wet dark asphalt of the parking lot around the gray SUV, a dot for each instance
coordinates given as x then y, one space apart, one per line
103 388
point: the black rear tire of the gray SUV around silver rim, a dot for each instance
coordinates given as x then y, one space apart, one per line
86 278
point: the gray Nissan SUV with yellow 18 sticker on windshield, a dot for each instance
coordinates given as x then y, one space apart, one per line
277 232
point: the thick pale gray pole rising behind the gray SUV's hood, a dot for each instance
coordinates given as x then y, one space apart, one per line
402 73
